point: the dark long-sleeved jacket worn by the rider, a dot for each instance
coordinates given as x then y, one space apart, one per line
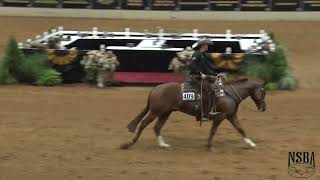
202 62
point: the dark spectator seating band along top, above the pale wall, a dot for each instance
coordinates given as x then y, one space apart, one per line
184 5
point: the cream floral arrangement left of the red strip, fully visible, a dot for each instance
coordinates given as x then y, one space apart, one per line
98 64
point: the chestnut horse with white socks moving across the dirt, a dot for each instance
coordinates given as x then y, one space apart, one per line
166 98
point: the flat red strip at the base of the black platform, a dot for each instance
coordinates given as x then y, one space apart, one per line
143 77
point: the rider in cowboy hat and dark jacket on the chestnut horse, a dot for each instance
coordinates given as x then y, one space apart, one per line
203 65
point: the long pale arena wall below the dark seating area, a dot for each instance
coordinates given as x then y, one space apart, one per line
162 15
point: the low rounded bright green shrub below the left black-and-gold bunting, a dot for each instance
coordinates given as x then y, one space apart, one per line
50 77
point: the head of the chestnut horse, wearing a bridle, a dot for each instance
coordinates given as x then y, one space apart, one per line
257 94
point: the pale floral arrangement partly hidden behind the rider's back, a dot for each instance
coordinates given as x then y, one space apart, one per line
180 63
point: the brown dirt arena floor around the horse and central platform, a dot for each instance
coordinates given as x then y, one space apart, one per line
74 131
